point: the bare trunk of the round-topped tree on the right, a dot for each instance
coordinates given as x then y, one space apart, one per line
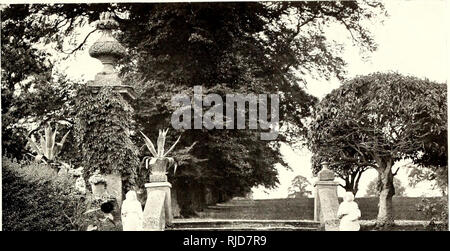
385 216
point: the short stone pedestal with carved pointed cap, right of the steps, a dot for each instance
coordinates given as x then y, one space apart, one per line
326 202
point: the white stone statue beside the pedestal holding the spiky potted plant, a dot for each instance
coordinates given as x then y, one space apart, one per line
132 215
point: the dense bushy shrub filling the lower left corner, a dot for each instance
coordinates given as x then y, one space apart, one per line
36 198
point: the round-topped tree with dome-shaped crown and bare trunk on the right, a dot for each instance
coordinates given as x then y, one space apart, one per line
386 117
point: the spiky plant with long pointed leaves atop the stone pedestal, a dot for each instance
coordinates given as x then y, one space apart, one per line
159 152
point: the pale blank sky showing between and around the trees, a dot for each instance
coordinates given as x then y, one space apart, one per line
413 40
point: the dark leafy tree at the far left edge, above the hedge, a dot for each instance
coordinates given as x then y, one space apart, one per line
33 93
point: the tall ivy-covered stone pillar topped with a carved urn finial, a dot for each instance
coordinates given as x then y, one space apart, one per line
103 122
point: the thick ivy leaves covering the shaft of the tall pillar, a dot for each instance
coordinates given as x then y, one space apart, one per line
103 137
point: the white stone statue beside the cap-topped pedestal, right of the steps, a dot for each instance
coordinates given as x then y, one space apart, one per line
349 213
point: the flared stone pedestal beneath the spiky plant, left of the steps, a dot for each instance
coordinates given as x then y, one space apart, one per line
158 209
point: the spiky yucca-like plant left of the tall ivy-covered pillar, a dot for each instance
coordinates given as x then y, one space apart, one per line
47 149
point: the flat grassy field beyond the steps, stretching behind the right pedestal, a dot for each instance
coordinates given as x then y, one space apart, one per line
294 209
